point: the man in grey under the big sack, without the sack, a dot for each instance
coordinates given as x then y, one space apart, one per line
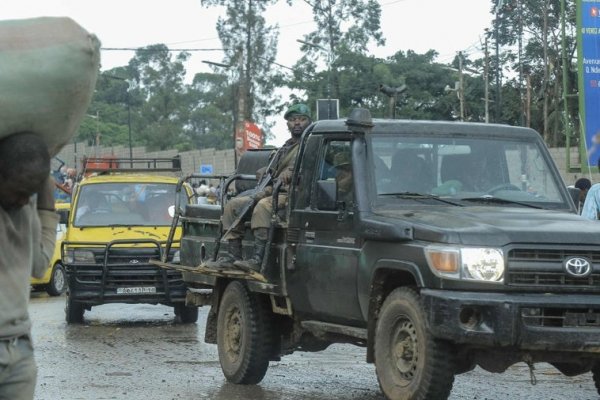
27 235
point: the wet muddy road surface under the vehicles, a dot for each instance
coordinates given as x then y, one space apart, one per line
137 352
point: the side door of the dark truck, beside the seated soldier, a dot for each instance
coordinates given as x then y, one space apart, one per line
323 274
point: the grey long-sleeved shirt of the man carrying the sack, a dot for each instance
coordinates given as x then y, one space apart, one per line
27 238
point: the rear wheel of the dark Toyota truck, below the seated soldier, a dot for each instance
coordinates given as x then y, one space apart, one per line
244 335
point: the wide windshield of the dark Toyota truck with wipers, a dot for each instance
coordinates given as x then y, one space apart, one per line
460 168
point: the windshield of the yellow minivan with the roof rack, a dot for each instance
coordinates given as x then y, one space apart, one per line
126 204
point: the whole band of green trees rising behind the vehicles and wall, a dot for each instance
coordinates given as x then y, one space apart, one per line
150 99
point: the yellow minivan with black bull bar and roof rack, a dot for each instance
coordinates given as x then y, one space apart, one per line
120 219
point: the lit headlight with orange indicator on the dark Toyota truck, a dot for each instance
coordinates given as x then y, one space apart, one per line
468 263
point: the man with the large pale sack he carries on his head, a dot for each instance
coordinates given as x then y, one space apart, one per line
49 68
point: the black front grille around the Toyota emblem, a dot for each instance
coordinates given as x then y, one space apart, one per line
544 268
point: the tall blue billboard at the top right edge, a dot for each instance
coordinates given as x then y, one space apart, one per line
588 50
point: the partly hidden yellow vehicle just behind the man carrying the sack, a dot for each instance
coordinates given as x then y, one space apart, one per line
54 282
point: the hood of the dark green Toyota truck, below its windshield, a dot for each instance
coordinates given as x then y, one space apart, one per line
496 226
